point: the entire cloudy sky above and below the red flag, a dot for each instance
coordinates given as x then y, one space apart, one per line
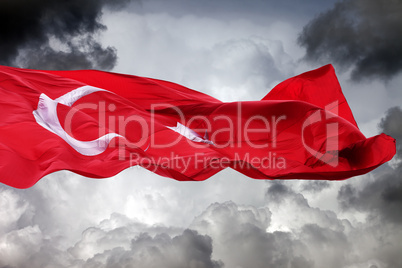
232 50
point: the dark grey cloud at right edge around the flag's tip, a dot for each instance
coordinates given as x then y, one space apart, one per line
382 198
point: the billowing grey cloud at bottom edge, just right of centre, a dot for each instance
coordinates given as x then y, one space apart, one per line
240 238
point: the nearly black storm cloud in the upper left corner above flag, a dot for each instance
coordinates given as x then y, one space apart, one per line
28 28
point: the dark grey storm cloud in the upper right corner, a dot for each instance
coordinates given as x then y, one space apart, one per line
362 34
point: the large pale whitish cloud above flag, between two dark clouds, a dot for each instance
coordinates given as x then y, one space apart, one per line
231 60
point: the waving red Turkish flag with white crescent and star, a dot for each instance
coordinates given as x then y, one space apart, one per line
98 123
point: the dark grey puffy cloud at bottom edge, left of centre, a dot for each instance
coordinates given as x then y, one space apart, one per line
188 249
